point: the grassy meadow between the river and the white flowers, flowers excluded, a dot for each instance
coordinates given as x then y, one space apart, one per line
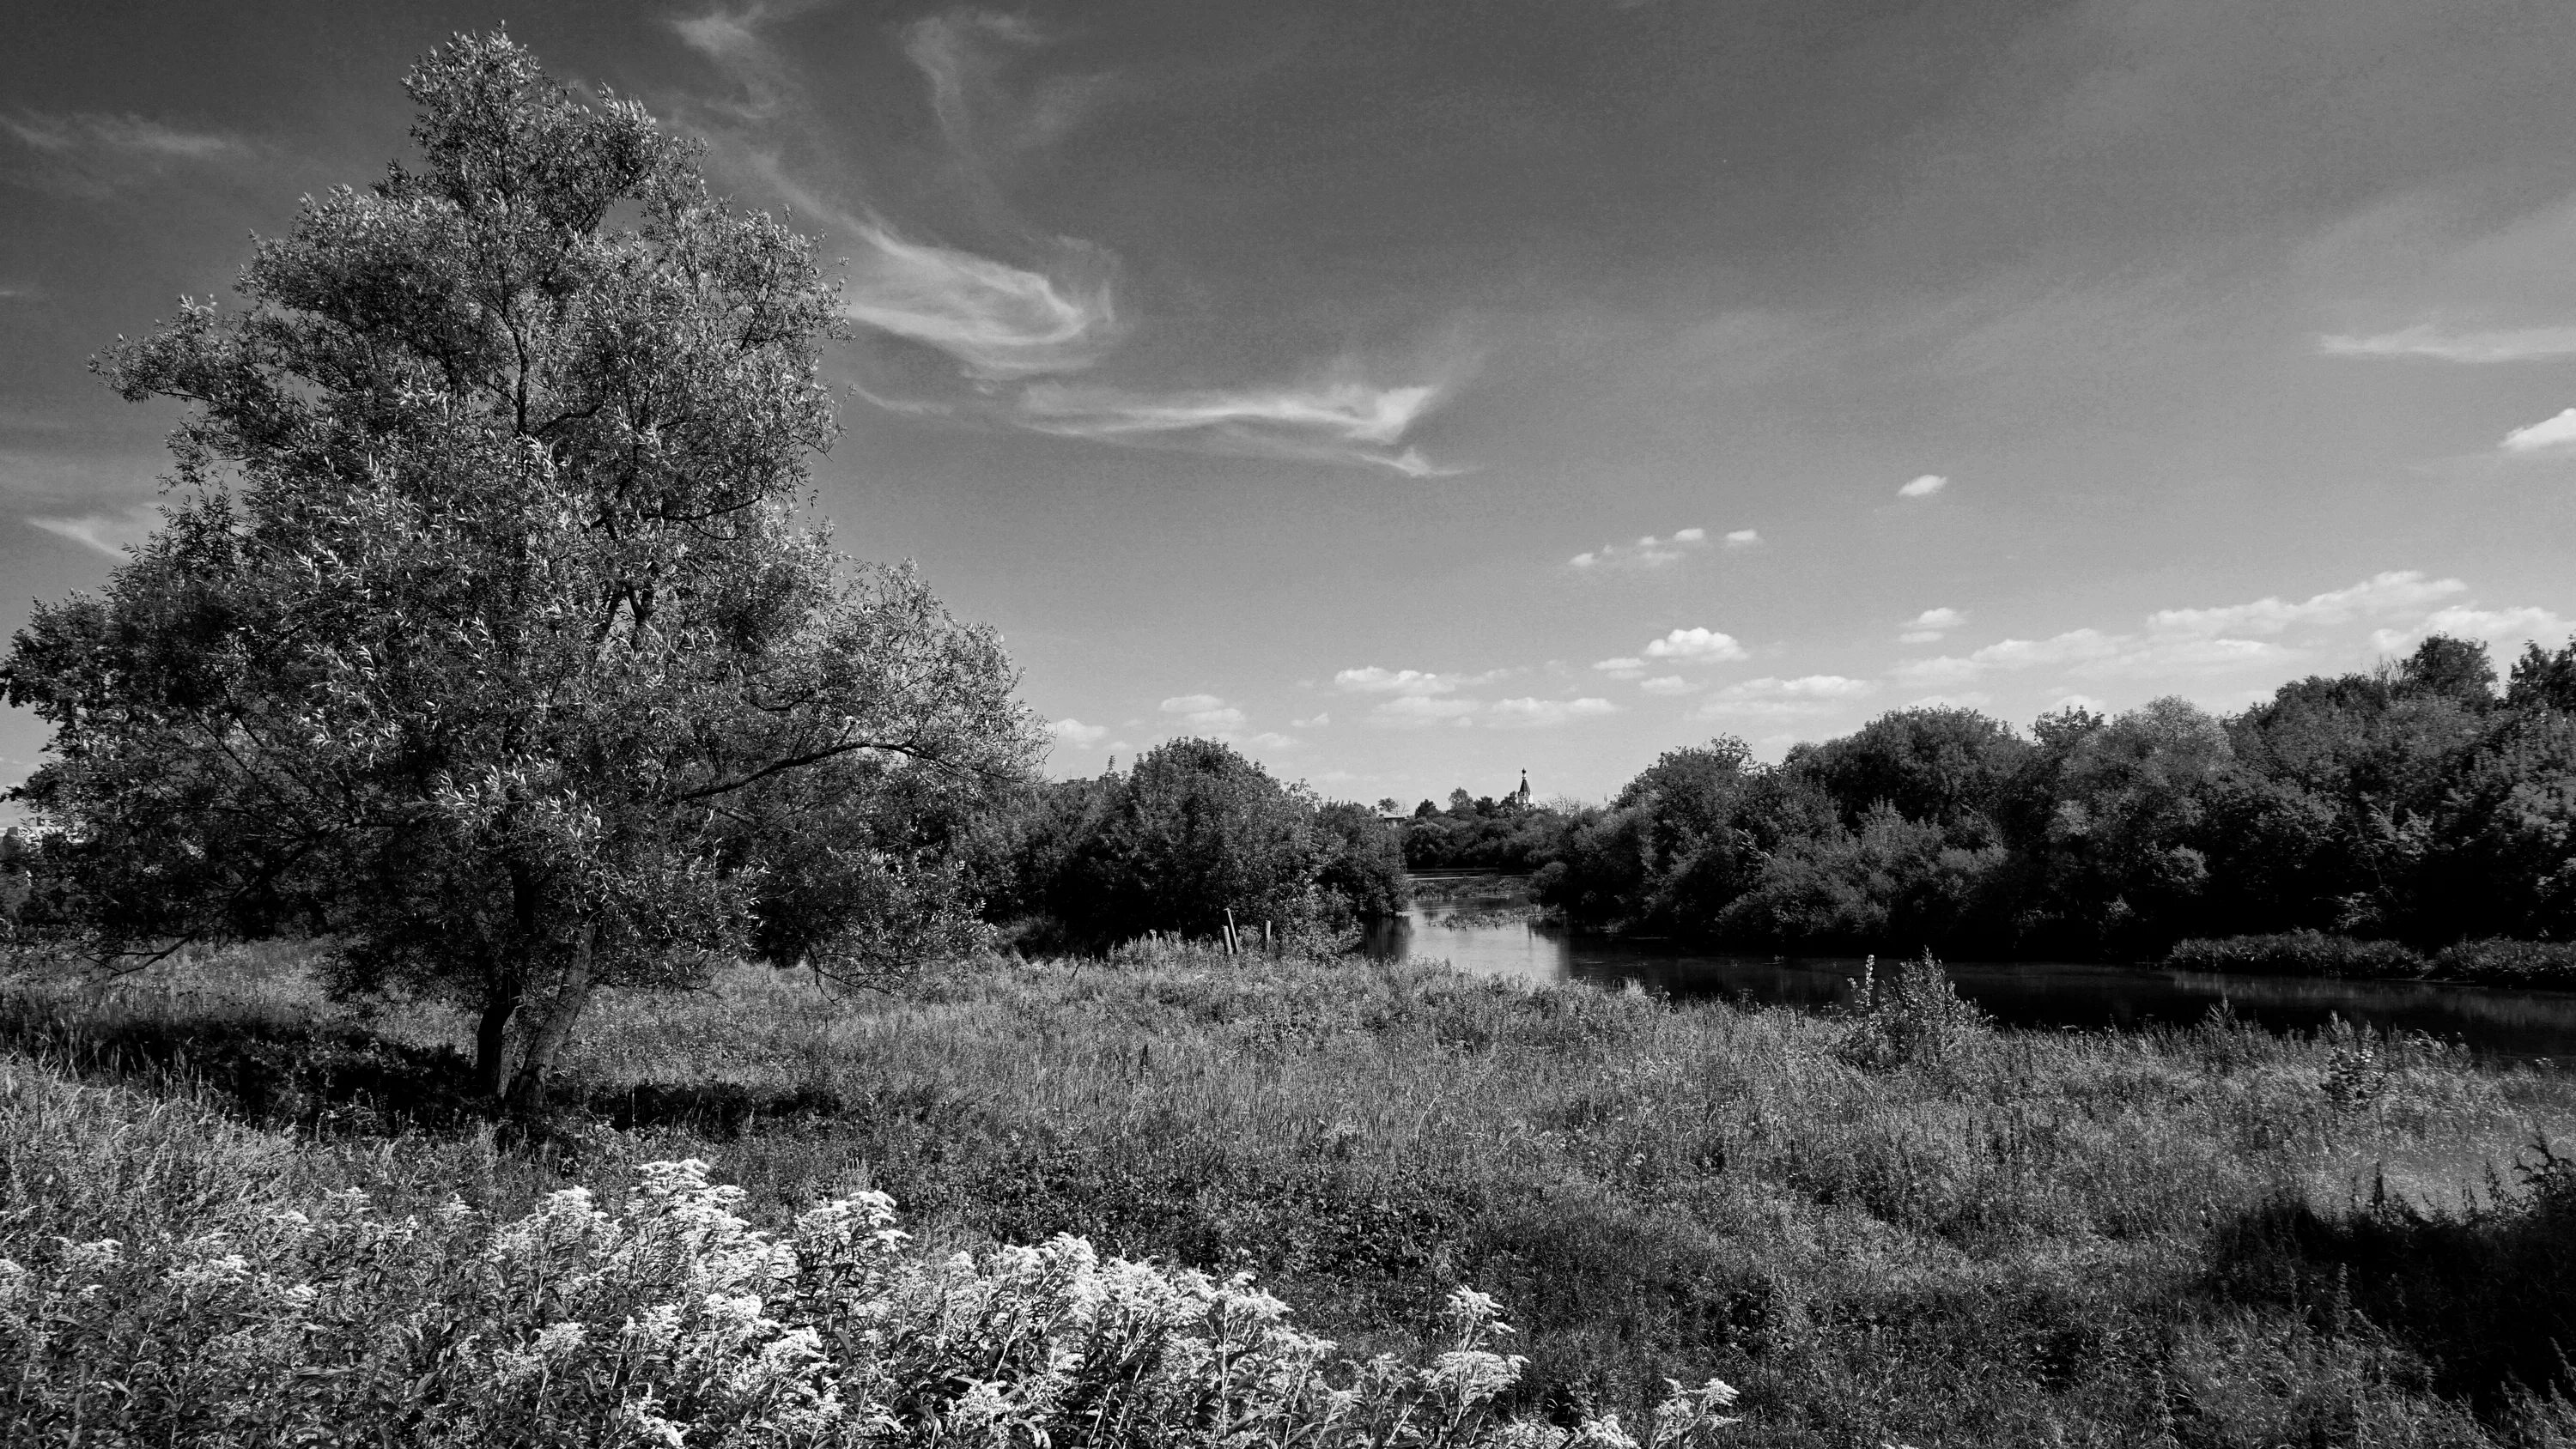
1895 1229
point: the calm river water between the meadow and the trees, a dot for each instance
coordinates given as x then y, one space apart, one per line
2023 995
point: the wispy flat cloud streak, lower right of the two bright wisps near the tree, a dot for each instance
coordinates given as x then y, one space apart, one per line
1331 423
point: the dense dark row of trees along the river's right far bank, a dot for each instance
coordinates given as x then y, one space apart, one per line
2415 804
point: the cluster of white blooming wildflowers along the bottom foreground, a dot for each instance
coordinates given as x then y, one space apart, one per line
676 1324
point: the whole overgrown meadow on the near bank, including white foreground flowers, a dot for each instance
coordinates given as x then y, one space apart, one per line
1895 1226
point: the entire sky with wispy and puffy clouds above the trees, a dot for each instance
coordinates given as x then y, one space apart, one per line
1418 395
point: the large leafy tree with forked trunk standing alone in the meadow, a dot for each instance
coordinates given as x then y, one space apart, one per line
486 632
